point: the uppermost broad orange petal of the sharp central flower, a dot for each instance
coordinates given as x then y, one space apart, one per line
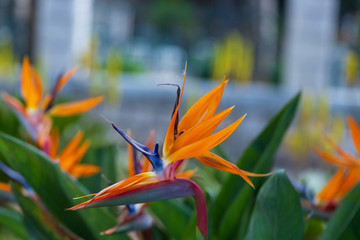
206 105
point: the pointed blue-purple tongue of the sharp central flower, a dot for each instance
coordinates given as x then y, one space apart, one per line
153 157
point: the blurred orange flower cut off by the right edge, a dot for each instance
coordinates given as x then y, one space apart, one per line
348 173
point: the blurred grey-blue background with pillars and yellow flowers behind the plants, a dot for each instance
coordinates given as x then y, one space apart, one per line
269 49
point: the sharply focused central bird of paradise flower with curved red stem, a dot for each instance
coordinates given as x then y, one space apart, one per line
192 137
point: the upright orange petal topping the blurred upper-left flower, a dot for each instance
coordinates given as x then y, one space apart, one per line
29 84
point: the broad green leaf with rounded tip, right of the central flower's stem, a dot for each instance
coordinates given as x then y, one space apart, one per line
277 213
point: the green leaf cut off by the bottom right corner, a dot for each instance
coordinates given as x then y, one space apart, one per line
344 224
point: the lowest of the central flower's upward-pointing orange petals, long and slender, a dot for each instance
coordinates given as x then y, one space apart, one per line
205 144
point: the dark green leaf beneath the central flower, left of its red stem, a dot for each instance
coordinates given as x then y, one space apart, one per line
174 215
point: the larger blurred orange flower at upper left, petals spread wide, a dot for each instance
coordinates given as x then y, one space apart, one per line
36 112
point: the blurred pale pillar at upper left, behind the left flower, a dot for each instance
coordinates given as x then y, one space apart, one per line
63 30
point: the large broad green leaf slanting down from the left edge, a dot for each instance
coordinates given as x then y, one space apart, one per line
55 188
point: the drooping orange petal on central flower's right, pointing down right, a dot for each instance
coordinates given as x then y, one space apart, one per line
212 160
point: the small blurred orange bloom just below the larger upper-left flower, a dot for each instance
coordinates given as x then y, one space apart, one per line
71 155
